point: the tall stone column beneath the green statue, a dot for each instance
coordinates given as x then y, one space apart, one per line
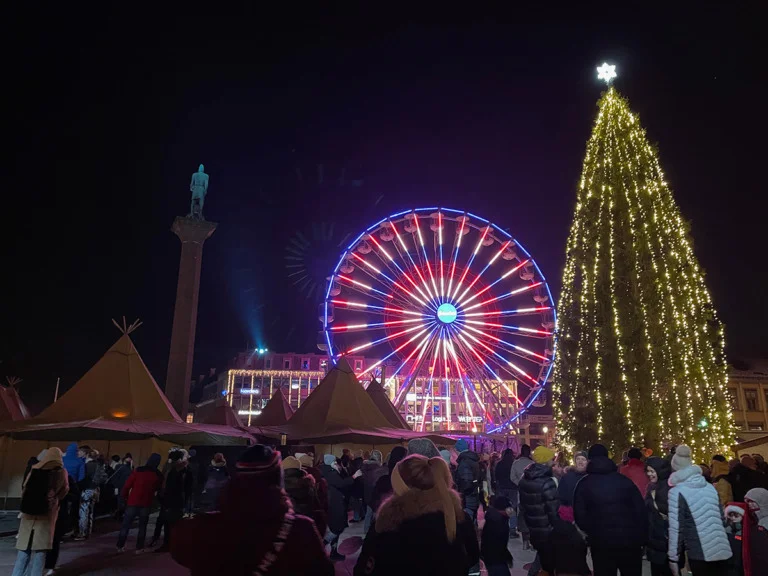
192 233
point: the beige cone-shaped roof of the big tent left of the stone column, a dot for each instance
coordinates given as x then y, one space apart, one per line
117 387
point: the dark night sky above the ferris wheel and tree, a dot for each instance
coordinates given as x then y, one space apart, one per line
110 111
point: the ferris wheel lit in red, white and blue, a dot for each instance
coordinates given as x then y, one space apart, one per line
450 312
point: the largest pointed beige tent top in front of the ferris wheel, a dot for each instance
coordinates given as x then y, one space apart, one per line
339 401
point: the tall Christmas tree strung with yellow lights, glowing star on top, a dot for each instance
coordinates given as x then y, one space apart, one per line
640 350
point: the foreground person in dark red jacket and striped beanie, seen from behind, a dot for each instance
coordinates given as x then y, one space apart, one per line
257 532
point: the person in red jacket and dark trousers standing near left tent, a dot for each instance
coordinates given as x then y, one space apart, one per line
138 493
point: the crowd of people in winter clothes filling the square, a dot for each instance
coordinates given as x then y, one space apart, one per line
420 506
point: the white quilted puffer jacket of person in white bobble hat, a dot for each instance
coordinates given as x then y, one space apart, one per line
695 518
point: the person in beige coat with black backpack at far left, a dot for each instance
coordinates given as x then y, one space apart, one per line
45 487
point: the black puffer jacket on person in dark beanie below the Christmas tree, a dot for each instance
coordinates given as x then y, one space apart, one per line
609 507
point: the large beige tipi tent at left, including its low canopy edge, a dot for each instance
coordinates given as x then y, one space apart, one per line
116 407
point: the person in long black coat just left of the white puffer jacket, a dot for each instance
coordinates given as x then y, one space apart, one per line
657 509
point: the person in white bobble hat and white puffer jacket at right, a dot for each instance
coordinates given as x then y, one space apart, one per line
695 519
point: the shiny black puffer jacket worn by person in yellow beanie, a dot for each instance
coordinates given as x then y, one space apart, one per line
539 502
